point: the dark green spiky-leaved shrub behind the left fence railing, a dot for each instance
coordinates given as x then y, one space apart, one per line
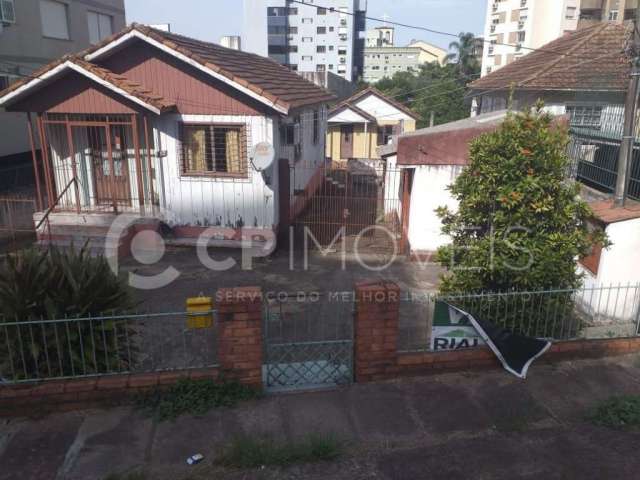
38 285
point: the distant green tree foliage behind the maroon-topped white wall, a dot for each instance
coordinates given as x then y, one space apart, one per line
434 88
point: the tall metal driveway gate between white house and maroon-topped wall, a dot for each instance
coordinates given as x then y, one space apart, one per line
358 202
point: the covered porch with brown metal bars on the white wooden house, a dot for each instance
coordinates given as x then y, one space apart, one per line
95 163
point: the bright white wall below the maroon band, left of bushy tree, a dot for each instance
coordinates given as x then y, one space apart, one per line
429 192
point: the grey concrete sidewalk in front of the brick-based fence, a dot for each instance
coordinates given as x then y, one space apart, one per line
486 425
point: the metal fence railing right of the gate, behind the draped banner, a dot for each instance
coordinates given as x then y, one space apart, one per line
589 313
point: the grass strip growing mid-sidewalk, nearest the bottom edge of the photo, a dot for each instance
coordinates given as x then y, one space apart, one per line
248 452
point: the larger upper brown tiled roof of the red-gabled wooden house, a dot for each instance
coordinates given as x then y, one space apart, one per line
260 78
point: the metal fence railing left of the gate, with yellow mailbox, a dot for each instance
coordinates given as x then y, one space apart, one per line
81 347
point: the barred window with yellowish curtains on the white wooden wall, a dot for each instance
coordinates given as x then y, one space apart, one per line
213 150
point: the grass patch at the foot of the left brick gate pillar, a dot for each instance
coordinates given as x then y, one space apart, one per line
194 397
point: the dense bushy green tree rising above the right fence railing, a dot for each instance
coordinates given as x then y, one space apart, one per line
519 225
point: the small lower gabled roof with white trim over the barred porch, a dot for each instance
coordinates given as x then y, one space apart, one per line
114 82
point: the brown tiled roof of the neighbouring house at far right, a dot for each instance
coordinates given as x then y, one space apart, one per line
590 59
